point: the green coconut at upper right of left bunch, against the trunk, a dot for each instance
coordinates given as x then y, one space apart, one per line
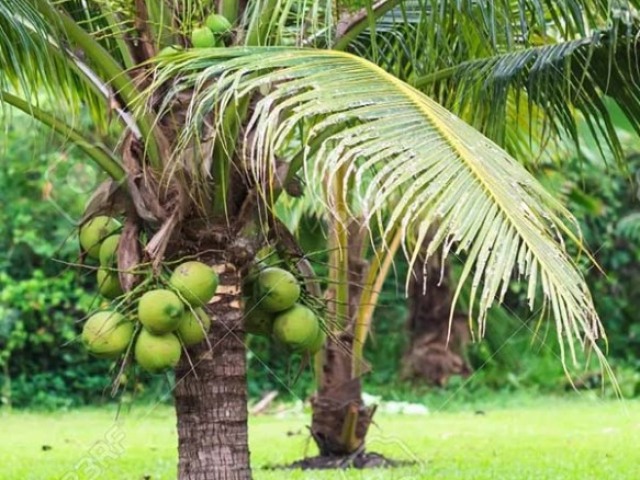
196 282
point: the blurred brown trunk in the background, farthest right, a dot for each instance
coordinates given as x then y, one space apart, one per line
433 354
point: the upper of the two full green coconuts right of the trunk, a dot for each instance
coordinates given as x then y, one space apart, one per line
276 289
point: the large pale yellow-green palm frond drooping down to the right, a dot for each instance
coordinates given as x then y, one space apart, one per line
408 162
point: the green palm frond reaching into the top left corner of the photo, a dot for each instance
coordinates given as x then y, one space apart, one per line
40 46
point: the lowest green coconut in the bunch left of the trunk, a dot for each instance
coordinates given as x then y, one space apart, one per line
155 353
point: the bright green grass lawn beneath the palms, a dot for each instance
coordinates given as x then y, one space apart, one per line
553 439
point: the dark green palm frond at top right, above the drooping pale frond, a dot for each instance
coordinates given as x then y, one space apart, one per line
480 59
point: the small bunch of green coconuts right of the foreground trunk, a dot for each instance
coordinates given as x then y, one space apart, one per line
273 309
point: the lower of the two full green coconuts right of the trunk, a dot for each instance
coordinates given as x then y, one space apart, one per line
297 327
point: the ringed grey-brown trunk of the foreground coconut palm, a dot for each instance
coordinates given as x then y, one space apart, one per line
211 395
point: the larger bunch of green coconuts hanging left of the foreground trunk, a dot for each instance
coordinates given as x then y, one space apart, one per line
163 320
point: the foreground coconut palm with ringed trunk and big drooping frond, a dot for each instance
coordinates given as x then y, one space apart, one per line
201 142
